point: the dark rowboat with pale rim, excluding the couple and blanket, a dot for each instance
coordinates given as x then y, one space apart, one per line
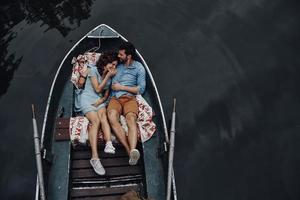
66 170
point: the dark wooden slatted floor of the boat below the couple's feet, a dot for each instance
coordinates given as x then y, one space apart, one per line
120 177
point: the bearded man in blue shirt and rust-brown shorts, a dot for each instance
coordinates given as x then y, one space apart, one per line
129 81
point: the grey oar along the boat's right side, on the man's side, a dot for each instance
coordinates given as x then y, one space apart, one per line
171 156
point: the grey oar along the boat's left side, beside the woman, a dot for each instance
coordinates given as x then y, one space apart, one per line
38 155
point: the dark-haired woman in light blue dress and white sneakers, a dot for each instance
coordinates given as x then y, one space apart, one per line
93 104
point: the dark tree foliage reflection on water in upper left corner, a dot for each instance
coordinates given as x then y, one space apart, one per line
62 16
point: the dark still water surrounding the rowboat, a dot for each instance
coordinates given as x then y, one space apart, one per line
233 65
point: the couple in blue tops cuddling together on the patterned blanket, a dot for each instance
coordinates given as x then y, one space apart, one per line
110 89
